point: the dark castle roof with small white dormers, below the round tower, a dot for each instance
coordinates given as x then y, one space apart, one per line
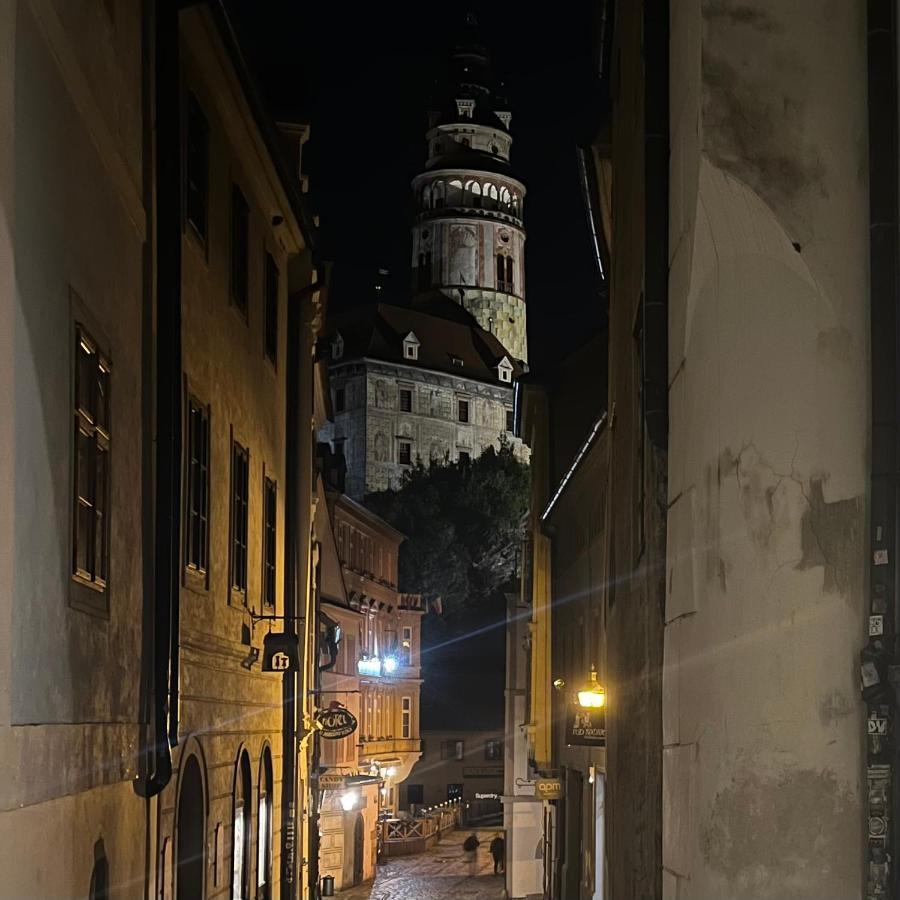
454 345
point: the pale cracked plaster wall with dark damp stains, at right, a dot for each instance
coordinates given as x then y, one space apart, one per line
769 359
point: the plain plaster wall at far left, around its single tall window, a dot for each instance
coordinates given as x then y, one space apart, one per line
71 242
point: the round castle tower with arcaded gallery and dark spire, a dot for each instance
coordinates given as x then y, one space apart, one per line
468 240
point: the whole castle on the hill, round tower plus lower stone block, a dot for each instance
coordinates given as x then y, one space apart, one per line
435 381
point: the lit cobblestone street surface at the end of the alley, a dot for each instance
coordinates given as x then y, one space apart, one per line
440 873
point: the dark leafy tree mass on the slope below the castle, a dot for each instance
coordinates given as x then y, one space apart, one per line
463 523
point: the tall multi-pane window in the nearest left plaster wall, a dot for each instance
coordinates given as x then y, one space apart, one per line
90 526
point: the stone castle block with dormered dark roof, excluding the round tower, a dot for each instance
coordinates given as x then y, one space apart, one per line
408 386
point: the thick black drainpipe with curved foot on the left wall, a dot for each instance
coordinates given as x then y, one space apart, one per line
167 532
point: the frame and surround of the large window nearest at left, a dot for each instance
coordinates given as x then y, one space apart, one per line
90 586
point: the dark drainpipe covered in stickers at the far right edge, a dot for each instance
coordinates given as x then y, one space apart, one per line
878 670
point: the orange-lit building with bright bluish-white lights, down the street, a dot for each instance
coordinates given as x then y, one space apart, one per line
370 662
